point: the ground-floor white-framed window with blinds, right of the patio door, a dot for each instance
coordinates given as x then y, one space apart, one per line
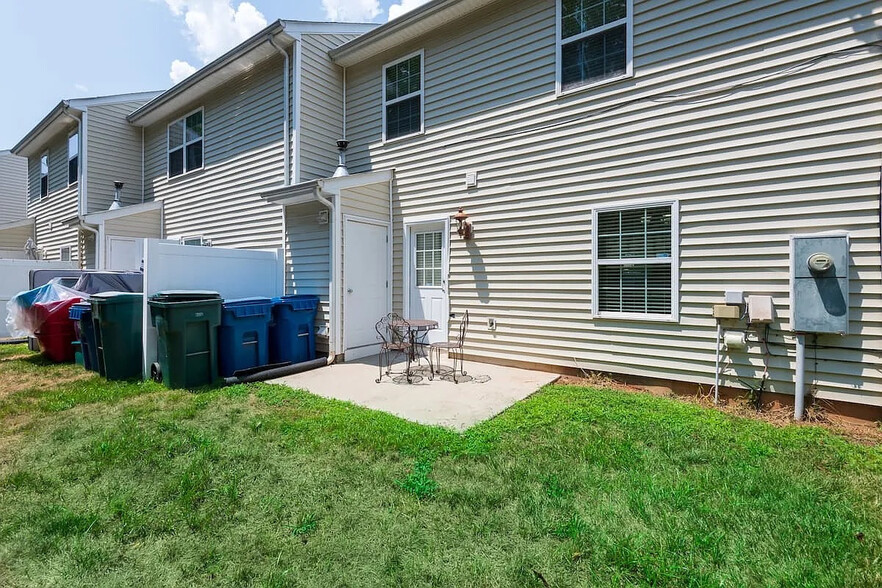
636 261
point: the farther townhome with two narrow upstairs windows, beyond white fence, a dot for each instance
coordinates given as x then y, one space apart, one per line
75 155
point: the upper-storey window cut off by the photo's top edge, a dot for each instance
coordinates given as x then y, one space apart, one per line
595 41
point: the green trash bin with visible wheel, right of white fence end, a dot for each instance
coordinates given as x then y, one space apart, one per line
187 323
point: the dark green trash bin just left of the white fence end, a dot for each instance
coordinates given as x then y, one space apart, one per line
117 320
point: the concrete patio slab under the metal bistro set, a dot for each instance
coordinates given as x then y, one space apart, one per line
485 392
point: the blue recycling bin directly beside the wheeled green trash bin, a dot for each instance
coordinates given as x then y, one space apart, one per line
243 335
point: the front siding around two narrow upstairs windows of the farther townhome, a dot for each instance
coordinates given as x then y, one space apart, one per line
59 205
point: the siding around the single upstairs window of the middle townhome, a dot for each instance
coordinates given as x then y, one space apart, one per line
243 155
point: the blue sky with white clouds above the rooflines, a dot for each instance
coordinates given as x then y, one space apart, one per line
60 49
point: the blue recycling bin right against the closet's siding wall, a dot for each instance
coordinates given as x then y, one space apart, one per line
292 334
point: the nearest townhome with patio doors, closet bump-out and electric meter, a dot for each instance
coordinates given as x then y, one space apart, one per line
591 179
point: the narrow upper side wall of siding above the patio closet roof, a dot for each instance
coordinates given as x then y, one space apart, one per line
321 106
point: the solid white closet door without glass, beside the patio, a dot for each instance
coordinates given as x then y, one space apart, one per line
365 285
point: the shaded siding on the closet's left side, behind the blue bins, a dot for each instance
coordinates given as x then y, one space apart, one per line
308 260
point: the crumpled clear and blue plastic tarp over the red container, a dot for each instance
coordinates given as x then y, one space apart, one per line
28 311
